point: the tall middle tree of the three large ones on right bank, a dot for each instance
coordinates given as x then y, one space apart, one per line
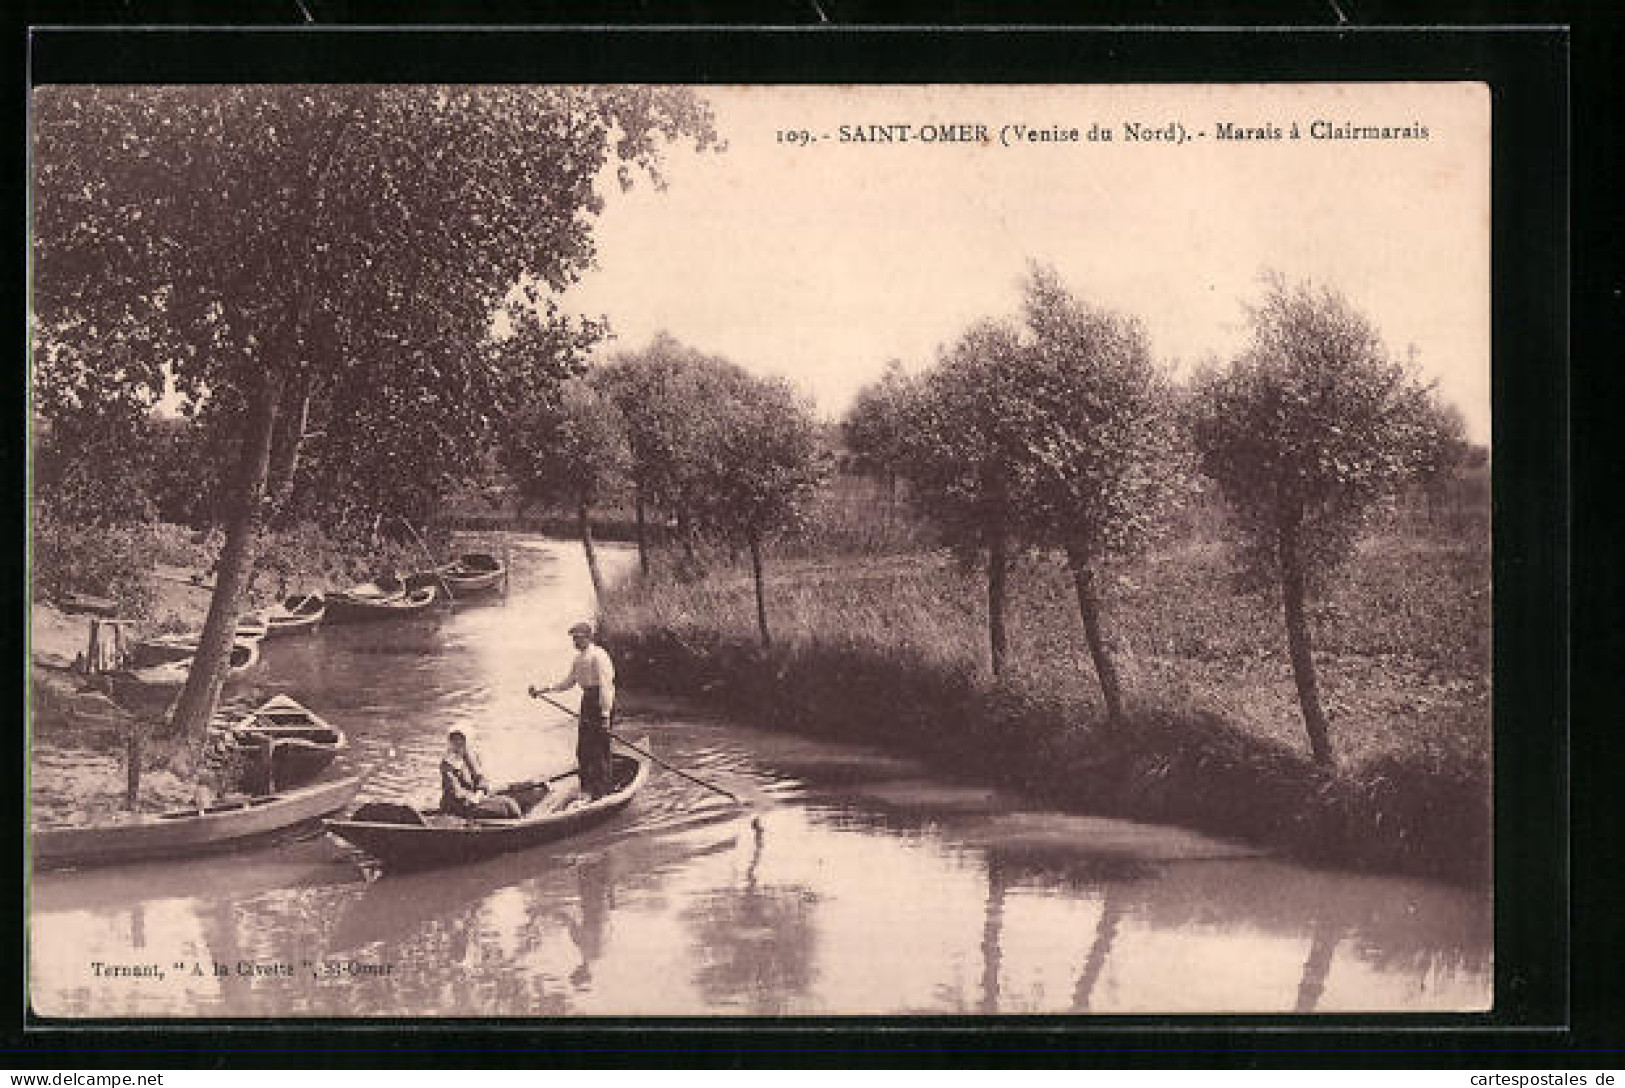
1103 452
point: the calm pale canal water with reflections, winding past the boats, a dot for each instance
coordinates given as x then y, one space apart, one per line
852 883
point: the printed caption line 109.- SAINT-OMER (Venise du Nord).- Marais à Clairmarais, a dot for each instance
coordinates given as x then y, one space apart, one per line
1148 132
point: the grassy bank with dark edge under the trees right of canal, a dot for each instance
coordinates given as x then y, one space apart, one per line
891 652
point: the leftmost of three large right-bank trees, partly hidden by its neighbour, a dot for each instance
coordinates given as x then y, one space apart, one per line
963 459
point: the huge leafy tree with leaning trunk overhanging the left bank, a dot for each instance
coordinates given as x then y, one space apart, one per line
306 246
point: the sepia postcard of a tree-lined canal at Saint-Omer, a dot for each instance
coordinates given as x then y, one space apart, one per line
760 551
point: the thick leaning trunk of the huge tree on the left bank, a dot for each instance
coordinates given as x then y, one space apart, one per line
236 566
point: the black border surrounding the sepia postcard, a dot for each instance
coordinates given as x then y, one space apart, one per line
1528 74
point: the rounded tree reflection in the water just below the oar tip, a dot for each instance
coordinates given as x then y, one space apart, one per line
756 943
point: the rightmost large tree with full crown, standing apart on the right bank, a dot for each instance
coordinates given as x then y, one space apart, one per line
1307 433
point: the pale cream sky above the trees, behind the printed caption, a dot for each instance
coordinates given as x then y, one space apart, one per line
823 262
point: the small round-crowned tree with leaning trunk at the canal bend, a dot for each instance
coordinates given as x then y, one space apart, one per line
573 454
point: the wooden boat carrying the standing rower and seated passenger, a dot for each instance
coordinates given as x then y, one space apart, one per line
412 839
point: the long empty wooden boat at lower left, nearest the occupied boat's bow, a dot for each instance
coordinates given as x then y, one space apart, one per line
225 826
